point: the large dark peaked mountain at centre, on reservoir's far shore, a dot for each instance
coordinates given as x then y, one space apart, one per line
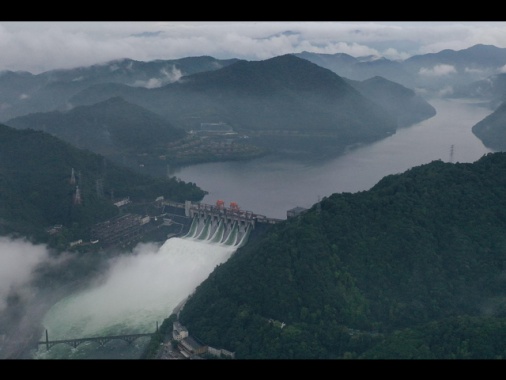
283 103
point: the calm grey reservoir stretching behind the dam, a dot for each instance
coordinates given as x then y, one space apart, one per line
271 187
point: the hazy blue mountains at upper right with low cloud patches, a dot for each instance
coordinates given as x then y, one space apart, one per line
475 73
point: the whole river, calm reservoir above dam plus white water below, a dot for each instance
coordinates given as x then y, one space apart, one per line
143 289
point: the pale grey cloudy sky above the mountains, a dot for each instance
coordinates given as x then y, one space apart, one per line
41 46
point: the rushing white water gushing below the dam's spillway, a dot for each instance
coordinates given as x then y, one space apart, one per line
138 291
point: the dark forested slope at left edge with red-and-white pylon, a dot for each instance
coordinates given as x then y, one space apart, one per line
37 190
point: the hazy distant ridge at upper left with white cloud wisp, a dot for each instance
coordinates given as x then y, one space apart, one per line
24 93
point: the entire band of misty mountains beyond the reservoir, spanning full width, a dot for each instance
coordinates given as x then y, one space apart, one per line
296 104
